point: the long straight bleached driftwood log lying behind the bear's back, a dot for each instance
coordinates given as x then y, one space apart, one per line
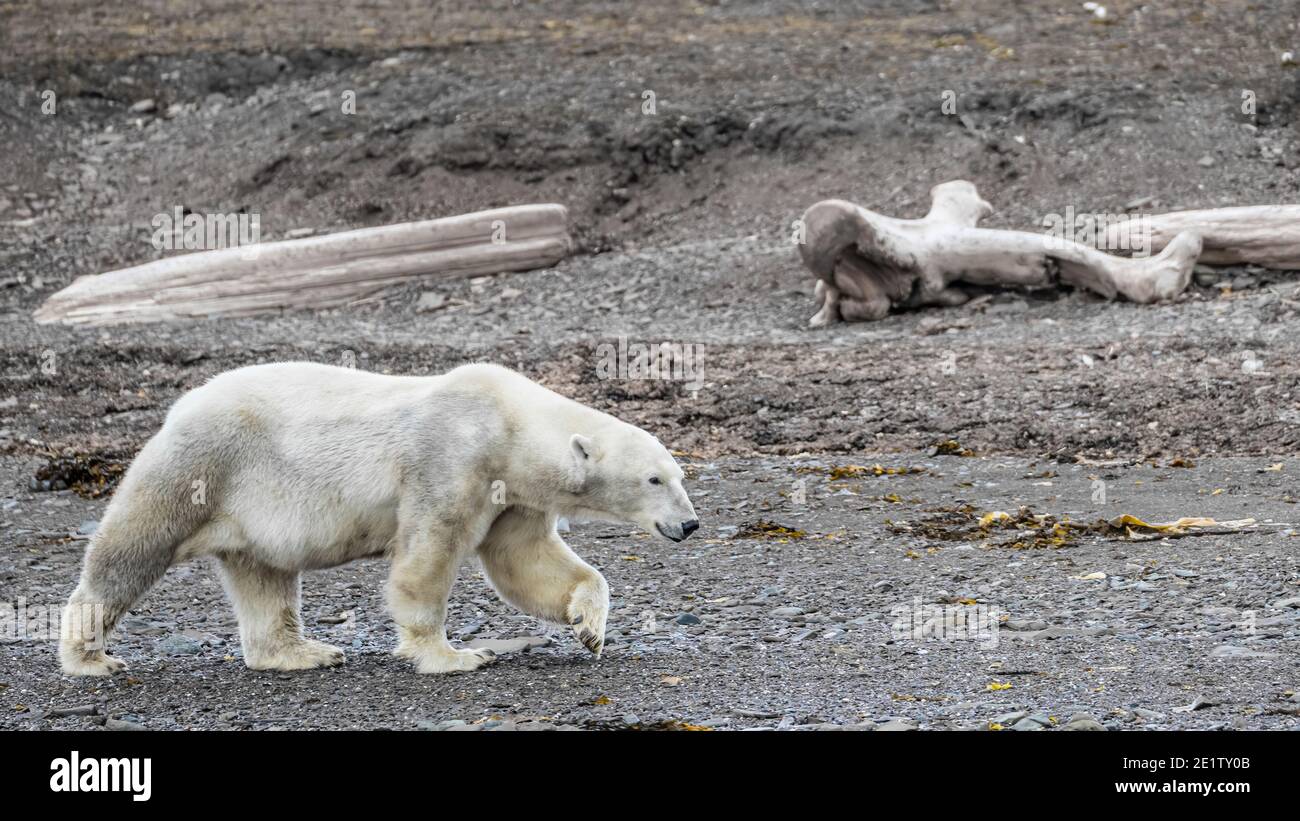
317 272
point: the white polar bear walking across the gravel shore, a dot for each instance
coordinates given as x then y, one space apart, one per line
278 470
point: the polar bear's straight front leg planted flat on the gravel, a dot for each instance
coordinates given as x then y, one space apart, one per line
419 587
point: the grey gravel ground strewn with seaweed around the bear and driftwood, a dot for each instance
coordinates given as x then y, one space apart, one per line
781 613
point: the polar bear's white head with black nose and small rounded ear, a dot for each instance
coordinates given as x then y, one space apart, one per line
625 475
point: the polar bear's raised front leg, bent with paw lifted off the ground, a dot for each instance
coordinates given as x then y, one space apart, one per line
534 570
